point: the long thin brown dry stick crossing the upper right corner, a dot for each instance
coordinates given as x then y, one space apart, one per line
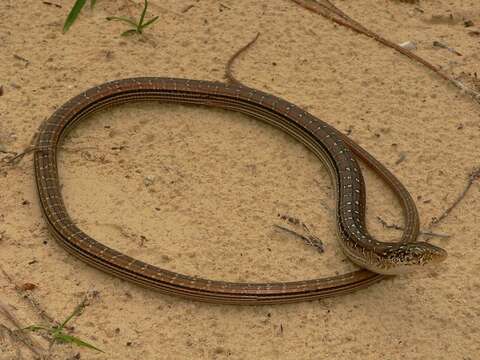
341 18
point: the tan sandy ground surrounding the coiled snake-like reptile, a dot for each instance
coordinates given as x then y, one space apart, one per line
217 180
